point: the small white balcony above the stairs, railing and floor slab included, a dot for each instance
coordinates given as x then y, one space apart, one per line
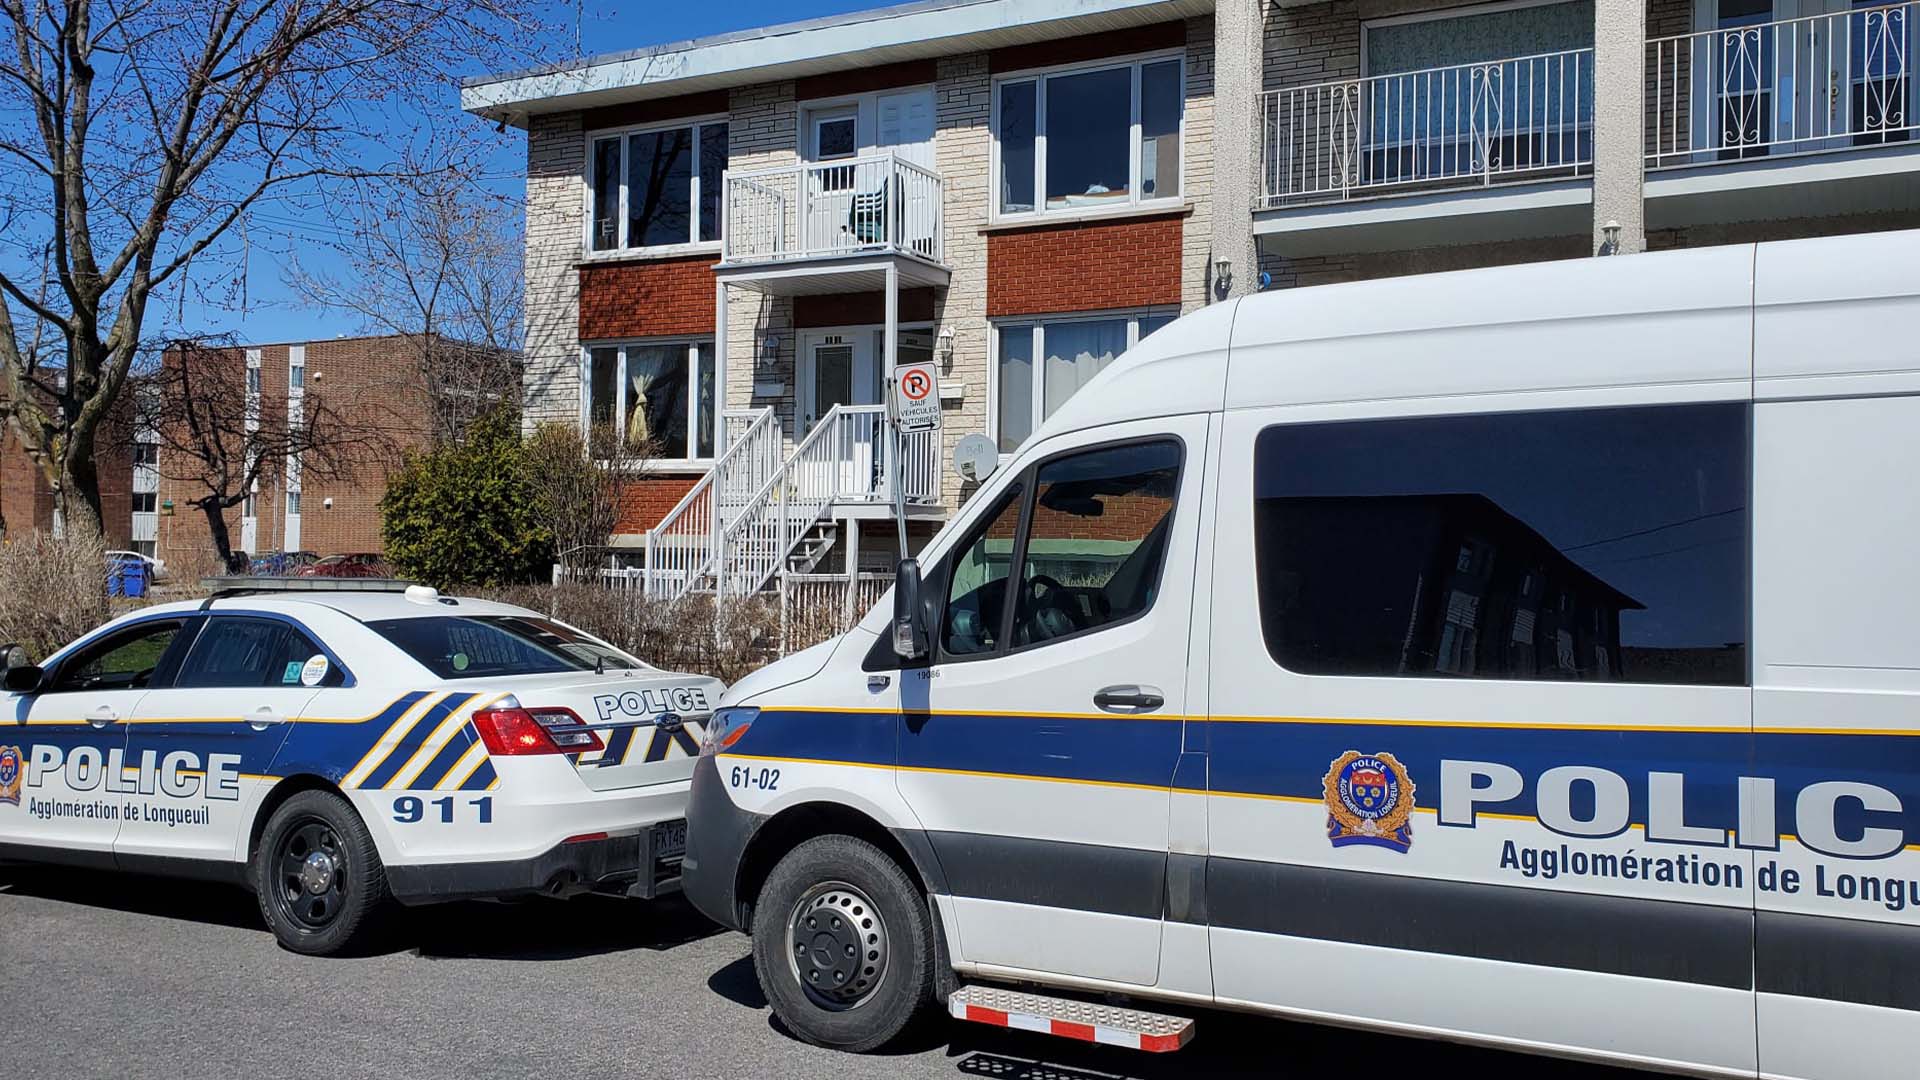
838 220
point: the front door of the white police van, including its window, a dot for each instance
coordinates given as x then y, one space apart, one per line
1040 747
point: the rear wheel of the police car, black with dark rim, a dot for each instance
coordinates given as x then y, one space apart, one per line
318 875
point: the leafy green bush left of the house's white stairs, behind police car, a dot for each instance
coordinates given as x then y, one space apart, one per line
468 514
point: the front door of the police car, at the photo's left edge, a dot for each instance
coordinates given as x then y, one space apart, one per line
70 741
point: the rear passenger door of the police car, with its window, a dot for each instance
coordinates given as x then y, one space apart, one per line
210 737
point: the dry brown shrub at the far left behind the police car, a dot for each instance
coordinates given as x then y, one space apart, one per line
51 591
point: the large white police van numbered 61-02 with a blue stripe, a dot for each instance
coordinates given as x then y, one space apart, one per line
1518 656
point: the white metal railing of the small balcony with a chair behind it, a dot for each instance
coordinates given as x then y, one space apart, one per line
832 209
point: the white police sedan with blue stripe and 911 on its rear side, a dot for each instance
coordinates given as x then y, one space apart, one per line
335 745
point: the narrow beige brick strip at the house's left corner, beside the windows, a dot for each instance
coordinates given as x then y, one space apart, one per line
556 209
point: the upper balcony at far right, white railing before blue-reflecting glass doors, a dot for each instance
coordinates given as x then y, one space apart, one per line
1785 118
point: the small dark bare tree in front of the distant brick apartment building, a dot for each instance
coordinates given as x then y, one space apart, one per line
224 439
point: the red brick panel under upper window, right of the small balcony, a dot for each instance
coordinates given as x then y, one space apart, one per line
1086 266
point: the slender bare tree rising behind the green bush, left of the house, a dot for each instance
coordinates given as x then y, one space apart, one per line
437 258
